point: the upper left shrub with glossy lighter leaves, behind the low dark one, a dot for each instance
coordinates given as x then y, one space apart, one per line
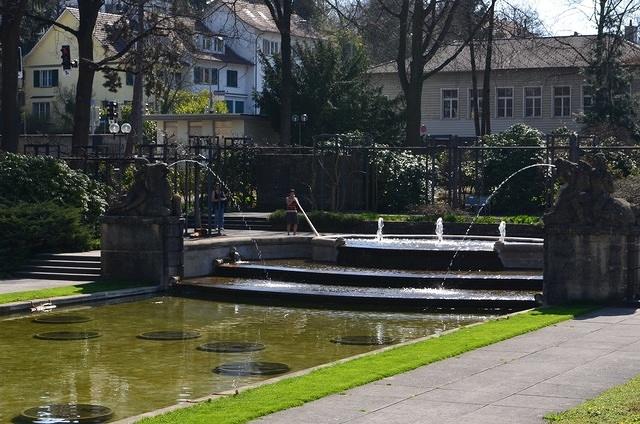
38 179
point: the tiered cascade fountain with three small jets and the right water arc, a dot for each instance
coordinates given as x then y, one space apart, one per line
398 272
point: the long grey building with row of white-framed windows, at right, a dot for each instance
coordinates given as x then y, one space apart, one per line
538 81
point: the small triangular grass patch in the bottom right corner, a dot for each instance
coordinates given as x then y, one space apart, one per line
615 406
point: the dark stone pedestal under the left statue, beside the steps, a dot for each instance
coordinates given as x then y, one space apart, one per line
144 249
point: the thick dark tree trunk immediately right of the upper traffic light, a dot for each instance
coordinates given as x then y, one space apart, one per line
86 72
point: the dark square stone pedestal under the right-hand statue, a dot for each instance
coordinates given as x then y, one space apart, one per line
587 264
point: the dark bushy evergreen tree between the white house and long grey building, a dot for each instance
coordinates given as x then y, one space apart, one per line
331 85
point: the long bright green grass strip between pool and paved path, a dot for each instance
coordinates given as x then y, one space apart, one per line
295 391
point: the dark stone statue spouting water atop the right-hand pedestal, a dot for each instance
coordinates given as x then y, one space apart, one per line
585 198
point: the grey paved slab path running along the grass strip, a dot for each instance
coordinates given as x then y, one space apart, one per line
515 381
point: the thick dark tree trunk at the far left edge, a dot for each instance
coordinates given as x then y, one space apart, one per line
10 28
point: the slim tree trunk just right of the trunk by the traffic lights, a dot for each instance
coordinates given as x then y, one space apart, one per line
137 129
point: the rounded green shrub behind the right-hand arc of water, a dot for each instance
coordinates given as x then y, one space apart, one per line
524 193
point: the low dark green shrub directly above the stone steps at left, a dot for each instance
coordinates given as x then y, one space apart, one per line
29 228
